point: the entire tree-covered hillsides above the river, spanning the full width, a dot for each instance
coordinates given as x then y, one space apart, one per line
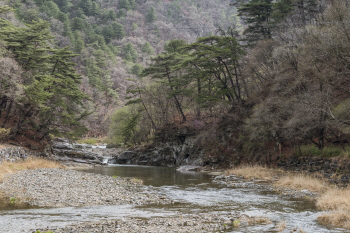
246 76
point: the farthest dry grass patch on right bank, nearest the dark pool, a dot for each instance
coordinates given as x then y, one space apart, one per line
254 171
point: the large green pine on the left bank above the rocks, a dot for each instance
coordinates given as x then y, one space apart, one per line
52 100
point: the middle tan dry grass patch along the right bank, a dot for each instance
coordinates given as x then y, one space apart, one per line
300 182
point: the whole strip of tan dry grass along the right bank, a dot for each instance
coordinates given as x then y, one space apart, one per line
331 198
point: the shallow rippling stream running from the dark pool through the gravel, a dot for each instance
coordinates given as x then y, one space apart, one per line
193 192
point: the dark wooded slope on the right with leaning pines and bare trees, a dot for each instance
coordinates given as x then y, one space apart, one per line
281 84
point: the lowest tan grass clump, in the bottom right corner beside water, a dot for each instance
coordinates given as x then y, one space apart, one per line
338 218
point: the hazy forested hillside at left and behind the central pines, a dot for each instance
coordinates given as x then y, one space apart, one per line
111 41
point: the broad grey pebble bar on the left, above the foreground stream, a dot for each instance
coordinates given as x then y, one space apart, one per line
63 187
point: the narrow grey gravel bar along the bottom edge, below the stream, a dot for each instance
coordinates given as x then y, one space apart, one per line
179 224
